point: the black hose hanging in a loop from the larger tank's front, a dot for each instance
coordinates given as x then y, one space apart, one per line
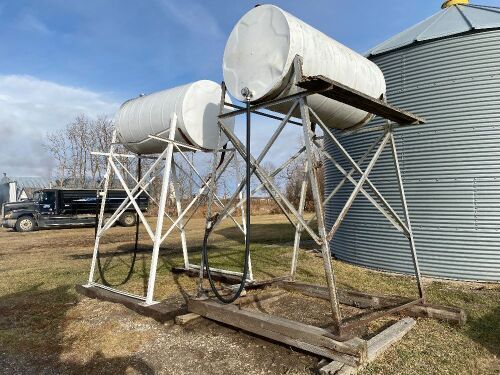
213 221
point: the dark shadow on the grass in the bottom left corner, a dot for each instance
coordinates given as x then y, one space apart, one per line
32 324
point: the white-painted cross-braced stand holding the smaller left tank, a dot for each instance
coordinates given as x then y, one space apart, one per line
164 167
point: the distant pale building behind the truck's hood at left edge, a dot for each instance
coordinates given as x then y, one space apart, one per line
14 189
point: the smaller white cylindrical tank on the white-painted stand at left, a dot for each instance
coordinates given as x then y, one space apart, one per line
196 106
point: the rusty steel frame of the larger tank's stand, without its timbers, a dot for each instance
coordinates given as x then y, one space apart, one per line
342 328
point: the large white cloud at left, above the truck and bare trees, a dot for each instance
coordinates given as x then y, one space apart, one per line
29 108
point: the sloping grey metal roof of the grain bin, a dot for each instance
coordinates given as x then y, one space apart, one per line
456 19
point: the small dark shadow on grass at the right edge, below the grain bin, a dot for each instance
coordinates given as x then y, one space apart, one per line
486 330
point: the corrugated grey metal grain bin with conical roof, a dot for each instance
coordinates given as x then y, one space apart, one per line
446 69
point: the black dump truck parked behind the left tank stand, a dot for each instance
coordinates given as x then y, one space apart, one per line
60 208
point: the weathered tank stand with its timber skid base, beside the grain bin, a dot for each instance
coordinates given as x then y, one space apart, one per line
343 340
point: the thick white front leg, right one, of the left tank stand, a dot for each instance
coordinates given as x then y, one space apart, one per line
161 210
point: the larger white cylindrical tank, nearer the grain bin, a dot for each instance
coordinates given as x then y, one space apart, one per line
259 55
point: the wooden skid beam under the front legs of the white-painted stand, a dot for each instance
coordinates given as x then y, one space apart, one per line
162 312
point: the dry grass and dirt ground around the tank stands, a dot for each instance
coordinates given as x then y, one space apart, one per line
47 328
